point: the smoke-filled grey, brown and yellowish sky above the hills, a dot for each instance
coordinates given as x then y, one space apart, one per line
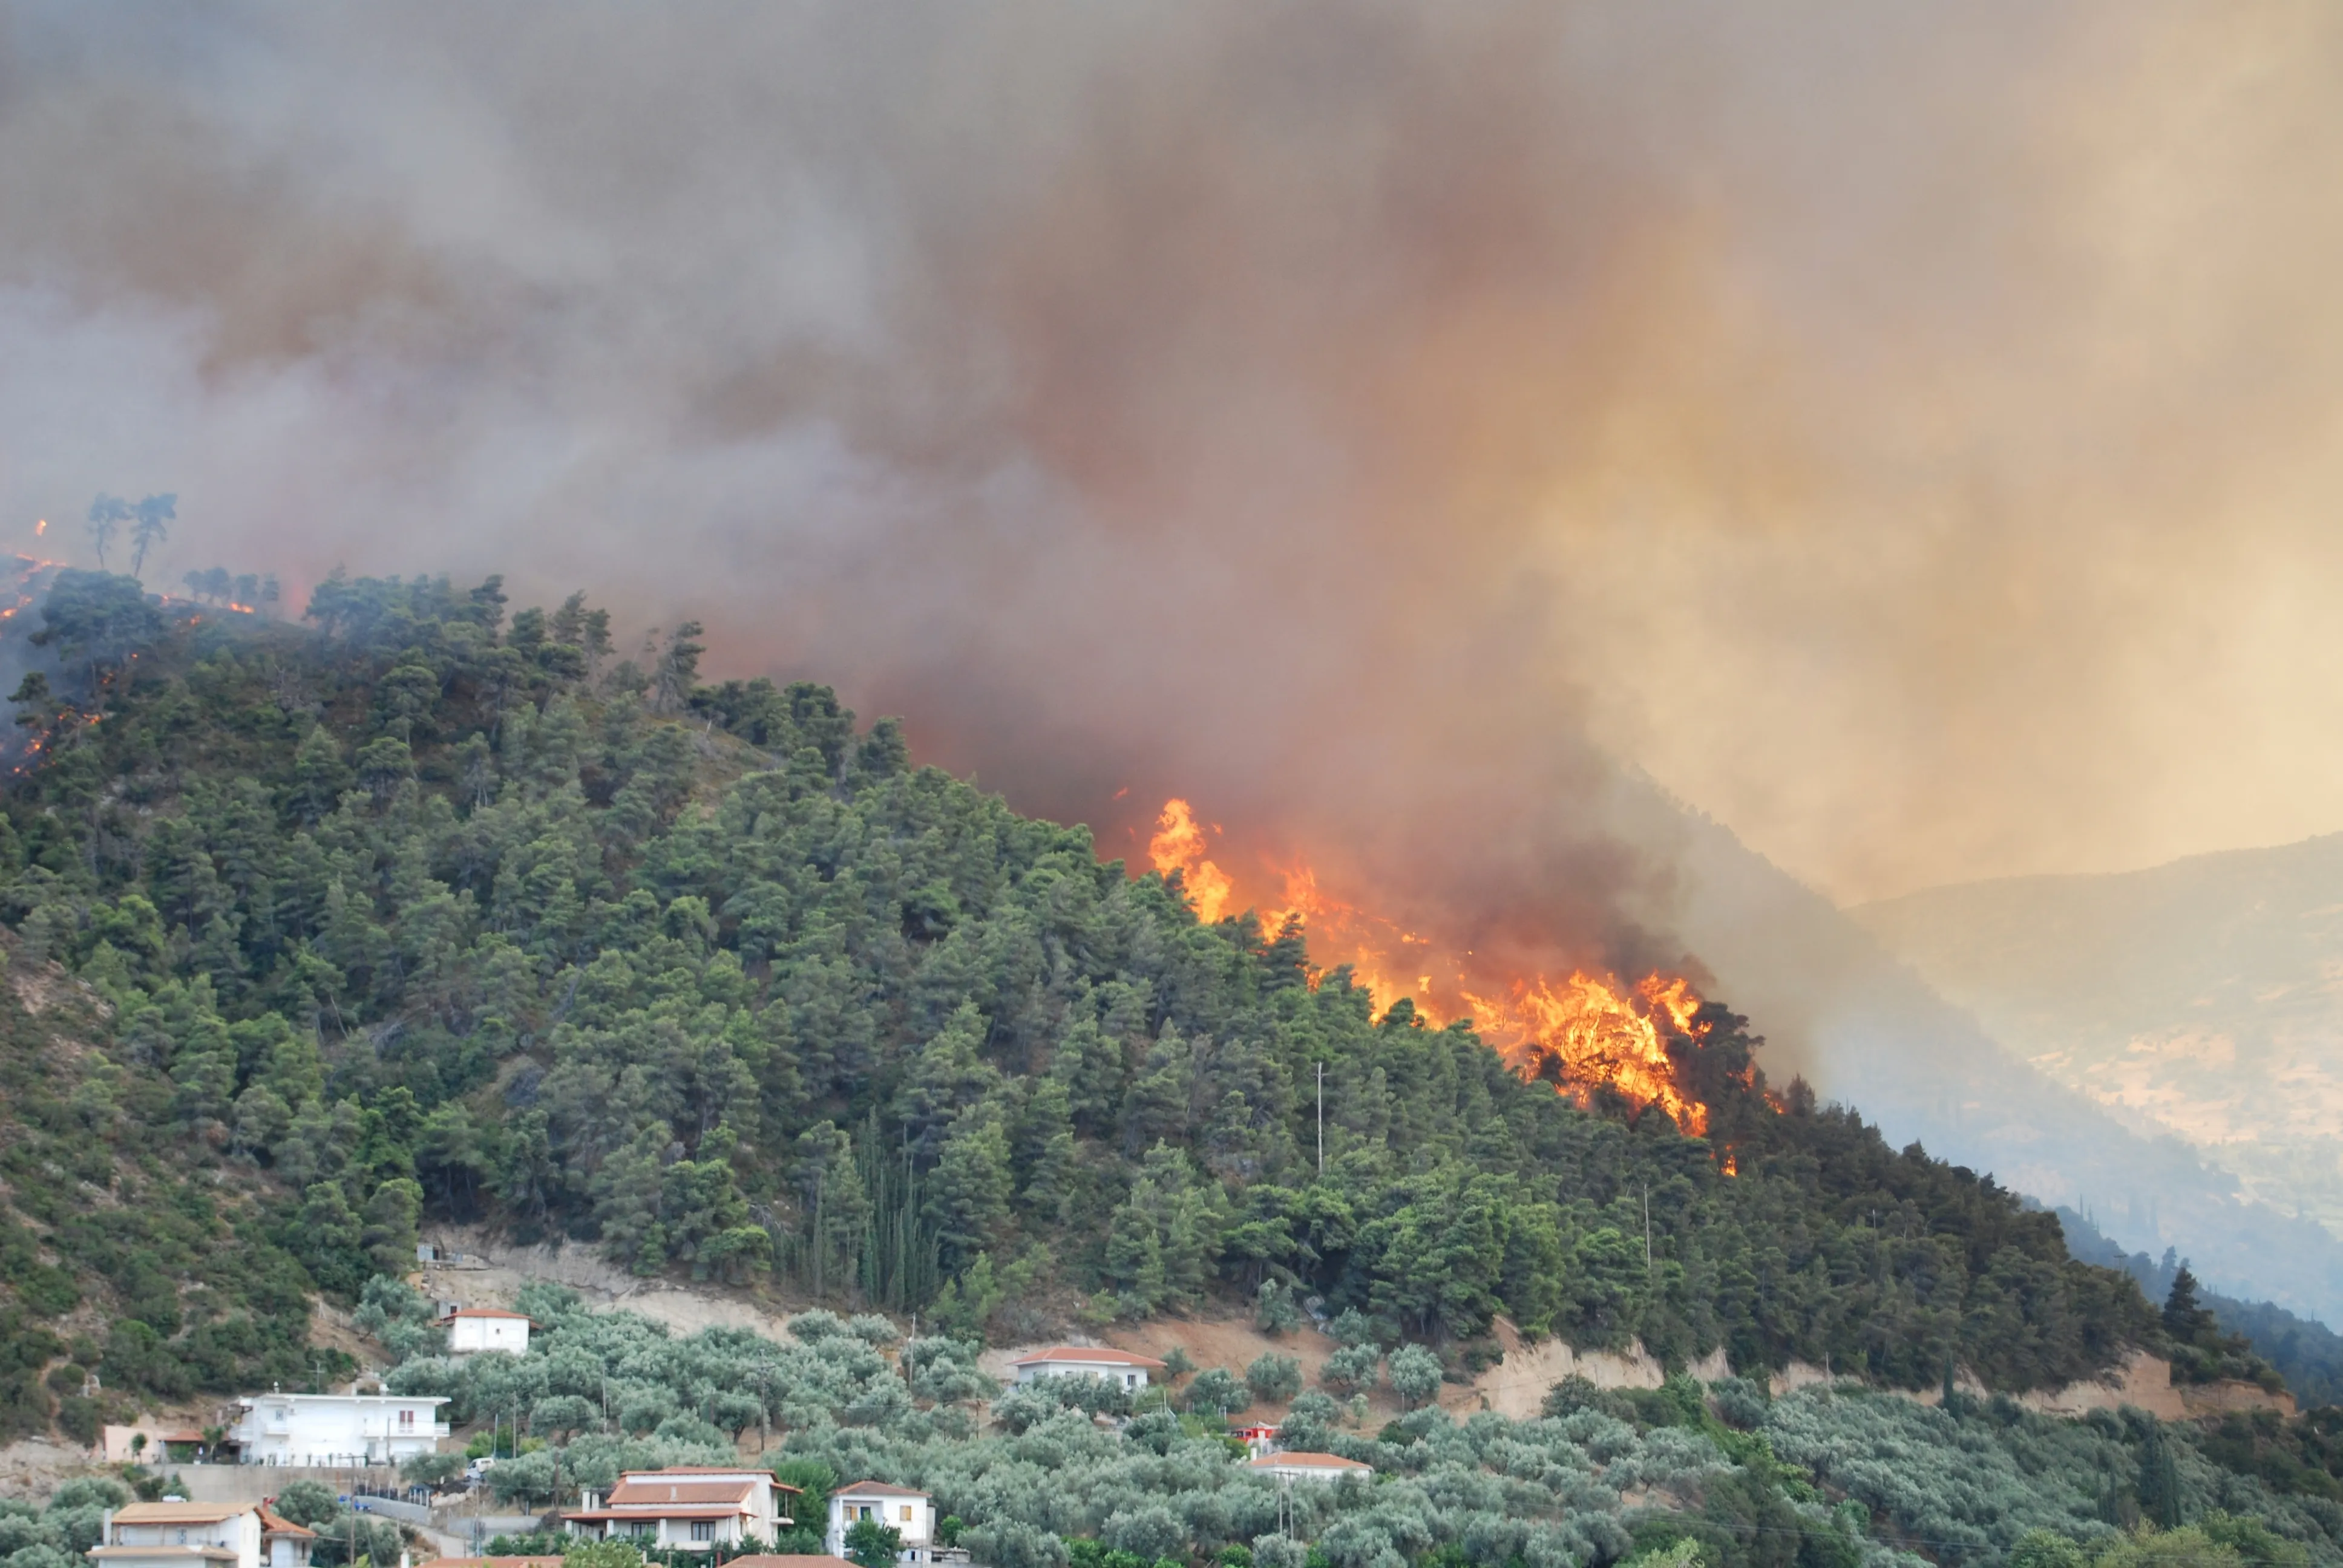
1904 430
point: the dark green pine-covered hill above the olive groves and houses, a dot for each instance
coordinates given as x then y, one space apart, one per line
421 908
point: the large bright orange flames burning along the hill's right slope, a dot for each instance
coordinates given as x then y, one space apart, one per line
1578 1032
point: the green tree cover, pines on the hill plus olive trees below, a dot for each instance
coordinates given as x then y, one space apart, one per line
418 908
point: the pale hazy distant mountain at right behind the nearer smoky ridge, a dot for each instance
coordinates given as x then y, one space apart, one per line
2199 1000
